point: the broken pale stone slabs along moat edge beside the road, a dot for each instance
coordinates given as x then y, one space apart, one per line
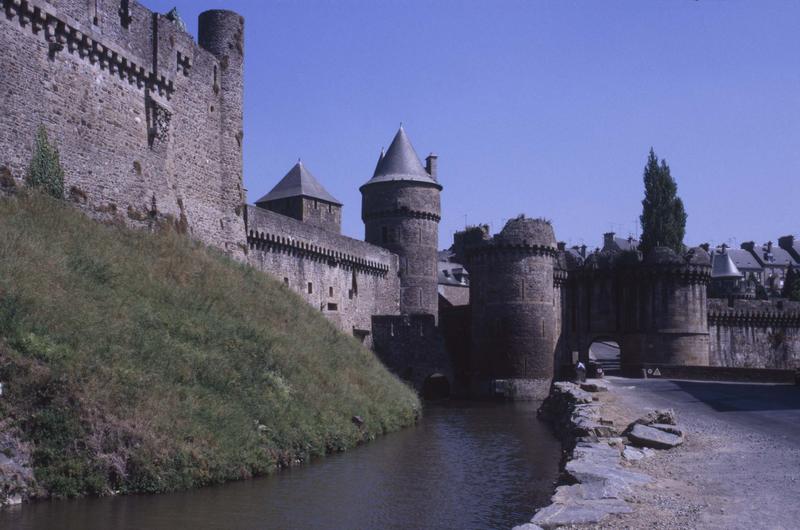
597 479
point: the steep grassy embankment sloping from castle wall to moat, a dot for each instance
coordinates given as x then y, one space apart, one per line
140 362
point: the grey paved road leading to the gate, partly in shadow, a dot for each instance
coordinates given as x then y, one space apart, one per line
740 466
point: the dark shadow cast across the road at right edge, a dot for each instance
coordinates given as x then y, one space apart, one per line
726 397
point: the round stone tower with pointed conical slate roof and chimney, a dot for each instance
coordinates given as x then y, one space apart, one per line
401 211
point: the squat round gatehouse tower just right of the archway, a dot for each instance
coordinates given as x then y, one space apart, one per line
673 312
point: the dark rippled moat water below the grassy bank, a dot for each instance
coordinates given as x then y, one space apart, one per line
465 465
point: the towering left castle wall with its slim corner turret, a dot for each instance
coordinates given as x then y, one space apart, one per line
148 123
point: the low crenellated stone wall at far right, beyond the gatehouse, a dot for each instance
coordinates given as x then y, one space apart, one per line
754 334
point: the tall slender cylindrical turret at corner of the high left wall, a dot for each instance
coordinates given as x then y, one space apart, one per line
221 32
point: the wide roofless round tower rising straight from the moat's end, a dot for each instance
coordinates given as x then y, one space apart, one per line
515 320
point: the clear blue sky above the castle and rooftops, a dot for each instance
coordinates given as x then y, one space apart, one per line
542 108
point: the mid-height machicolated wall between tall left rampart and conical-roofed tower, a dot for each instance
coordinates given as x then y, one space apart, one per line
350 280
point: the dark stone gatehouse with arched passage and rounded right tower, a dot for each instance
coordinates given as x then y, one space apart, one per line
654 308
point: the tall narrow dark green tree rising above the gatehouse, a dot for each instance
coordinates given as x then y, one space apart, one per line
663 217
